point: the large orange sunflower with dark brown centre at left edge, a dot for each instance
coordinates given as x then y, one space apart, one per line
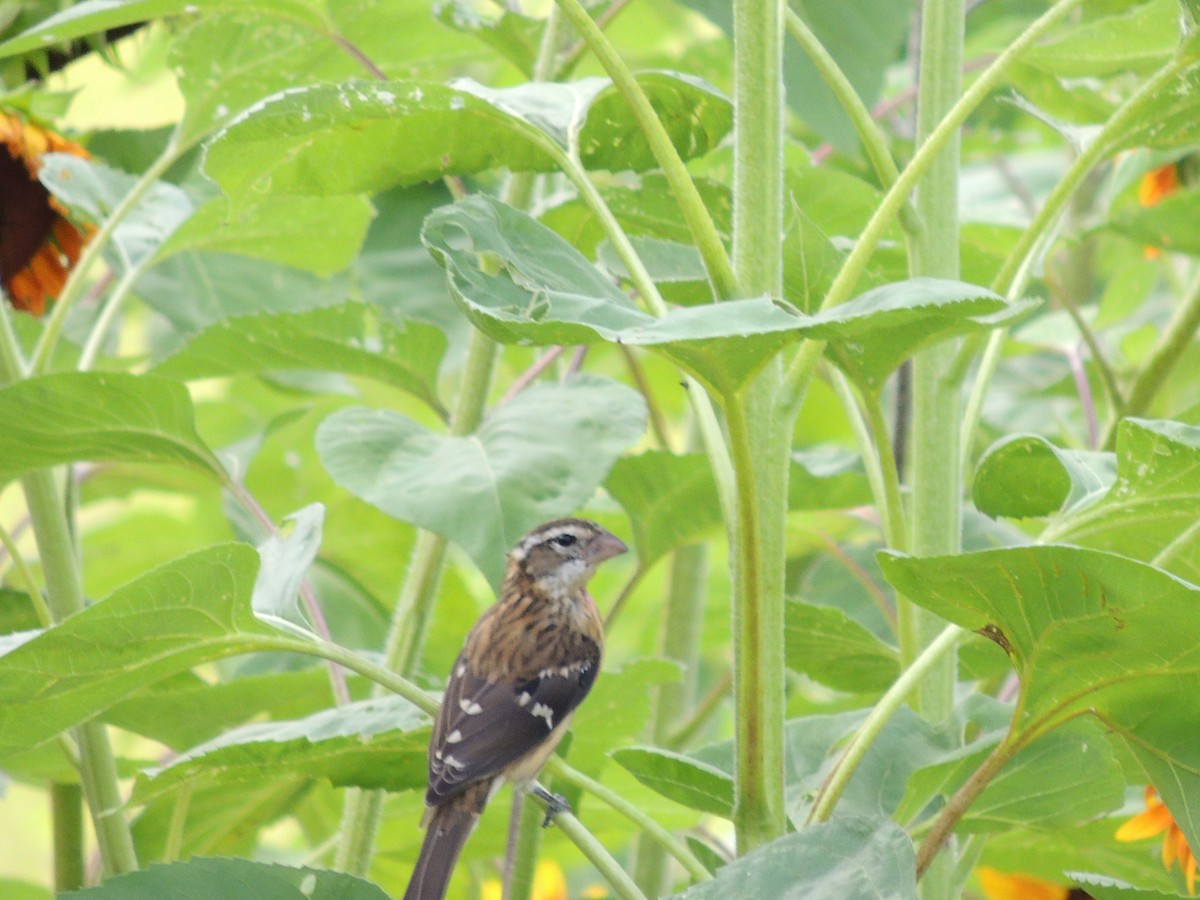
39 244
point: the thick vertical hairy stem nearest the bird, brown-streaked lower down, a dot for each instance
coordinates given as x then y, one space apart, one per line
760 437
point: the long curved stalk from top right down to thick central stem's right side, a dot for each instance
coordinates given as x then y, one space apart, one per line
802 367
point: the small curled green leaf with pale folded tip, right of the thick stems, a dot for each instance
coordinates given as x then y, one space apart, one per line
1027 476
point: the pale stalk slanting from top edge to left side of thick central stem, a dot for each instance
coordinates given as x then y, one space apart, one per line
692 206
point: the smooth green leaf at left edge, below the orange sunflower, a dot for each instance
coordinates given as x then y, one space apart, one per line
99 418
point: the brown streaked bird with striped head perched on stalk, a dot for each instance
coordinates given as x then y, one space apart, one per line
526 665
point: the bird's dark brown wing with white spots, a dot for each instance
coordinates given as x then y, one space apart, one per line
485 727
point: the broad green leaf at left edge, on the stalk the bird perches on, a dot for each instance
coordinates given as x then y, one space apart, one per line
190 611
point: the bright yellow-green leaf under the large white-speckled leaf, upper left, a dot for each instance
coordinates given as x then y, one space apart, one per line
319 235
